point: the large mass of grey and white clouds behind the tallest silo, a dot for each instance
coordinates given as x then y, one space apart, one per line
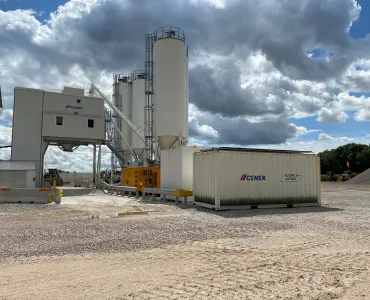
248 82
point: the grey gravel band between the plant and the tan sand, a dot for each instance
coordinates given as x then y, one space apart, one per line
38 230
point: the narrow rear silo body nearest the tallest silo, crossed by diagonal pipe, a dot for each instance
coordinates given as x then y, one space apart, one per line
138 111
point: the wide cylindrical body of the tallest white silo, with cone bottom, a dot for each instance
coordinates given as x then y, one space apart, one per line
170 91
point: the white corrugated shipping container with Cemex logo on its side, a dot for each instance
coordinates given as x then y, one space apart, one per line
229 178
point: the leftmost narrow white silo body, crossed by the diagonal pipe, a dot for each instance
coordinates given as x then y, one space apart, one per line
125 91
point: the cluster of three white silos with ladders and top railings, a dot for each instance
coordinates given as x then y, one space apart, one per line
167 99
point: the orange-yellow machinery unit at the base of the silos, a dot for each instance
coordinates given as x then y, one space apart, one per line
141 177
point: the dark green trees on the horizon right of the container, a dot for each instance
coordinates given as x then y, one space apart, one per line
335 160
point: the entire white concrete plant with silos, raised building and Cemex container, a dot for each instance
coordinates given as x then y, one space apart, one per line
146 129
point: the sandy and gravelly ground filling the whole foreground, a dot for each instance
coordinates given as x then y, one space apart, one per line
305 253
